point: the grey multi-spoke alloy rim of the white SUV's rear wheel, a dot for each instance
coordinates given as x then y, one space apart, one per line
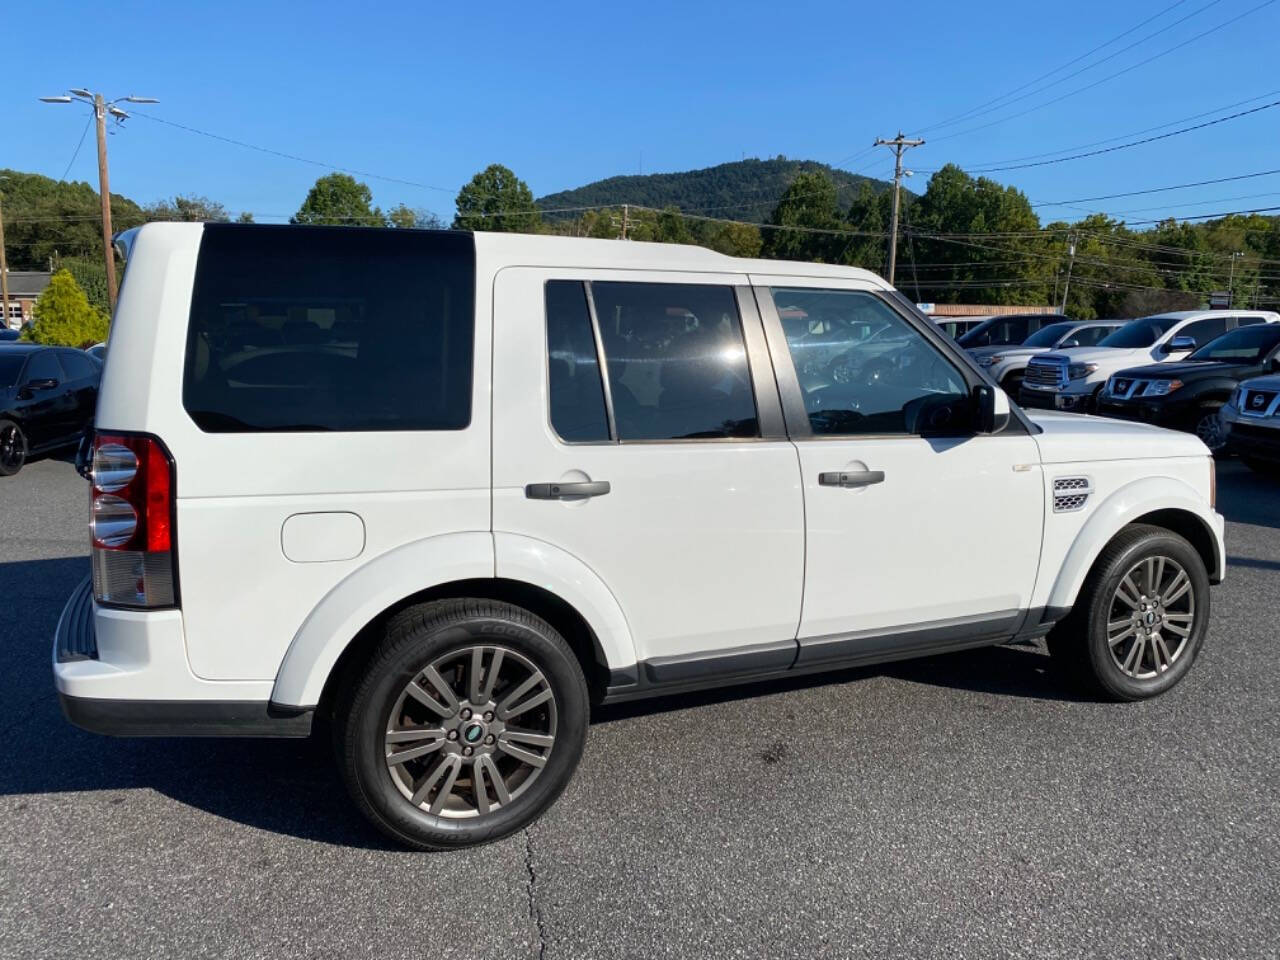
472 733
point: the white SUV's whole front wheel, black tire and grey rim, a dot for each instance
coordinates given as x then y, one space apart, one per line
1141 618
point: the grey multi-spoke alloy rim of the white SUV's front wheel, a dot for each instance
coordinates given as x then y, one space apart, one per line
1151 618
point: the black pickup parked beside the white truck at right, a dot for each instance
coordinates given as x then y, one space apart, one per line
1188 395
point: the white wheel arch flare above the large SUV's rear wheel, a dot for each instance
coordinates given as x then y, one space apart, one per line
537 577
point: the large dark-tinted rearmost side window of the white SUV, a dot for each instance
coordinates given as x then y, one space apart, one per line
314 328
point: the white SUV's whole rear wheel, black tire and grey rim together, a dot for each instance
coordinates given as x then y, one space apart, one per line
465 726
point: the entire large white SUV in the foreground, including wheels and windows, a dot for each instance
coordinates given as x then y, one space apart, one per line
438 493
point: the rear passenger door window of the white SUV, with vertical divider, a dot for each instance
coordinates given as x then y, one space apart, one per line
675 362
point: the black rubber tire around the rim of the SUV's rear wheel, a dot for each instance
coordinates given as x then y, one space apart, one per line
415 639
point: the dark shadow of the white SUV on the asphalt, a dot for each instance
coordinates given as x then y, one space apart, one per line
292 787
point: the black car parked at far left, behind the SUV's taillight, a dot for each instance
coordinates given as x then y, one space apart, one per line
48 396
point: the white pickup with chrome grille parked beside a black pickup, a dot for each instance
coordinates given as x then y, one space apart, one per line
1073 380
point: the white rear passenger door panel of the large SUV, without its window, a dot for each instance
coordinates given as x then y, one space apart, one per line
702 542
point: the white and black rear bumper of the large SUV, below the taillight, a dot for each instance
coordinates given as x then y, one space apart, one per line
126 674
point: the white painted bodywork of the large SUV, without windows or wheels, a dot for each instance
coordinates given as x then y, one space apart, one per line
290 543
